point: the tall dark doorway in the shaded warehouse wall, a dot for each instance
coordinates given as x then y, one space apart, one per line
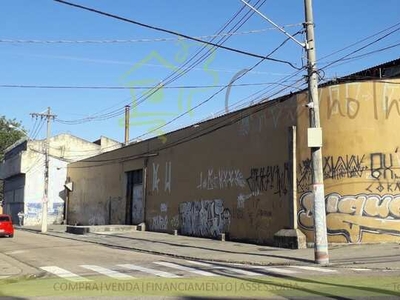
134 197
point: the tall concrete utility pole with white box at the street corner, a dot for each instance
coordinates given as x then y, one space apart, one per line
321 255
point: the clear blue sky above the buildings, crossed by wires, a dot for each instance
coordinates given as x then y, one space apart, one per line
87 66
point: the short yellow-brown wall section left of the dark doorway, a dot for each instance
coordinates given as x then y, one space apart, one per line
105 204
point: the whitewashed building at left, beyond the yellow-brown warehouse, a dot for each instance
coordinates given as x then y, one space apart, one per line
23 173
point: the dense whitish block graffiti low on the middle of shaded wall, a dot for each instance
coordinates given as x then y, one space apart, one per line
204 218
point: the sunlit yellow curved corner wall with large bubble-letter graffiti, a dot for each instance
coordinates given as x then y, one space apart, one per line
361 163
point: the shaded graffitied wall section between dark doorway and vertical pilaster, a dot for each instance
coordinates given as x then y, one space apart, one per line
234 180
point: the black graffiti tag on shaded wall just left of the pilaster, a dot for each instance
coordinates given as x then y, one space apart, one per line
271 178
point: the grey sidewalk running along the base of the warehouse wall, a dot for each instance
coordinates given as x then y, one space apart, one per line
371 256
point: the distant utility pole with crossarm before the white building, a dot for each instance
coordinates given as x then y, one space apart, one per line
48 116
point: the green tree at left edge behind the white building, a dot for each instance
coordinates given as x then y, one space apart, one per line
9 134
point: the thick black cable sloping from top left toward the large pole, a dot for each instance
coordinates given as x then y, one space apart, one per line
174 33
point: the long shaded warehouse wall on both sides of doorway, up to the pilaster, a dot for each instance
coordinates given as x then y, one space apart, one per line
233 180
